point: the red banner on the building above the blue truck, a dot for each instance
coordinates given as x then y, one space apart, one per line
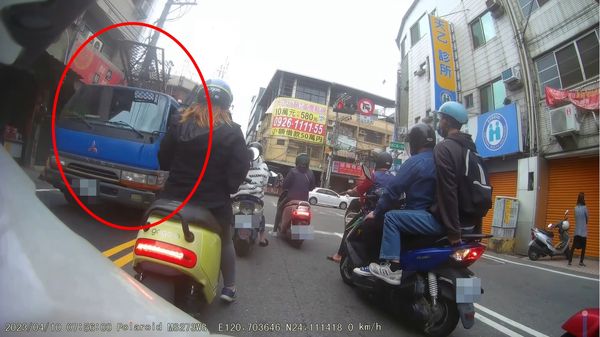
94 68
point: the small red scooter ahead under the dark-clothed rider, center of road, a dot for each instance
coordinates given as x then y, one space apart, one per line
295 224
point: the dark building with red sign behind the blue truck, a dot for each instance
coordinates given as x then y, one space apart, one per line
100 62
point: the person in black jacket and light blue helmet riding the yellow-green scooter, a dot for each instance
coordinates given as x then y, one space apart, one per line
183 151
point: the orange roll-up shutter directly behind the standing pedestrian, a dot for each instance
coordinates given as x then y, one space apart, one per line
566 178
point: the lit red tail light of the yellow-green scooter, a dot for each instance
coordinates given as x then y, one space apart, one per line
165 252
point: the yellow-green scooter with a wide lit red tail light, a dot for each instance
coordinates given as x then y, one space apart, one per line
180 258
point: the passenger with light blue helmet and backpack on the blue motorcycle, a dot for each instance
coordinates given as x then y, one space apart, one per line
463 195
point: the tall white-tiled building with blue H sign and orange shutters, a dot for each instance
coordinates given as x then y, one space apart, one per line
498 57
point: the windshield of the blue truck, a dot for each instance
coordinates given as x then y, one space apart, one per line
134 109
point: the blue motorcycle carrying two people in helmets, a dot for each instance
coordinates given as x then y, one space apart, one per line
437 288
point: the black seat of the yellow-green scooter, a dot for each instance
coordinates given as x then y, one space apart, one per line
192 214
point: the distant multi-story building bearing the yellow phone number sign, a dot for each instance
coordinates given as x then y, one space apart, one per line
294 114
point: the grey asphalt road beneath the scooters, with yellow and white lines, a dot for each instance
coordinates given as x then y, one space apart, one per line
281 287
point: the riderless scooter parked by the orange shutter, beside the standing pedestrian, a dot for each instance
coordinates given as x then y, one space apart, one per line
541 240
